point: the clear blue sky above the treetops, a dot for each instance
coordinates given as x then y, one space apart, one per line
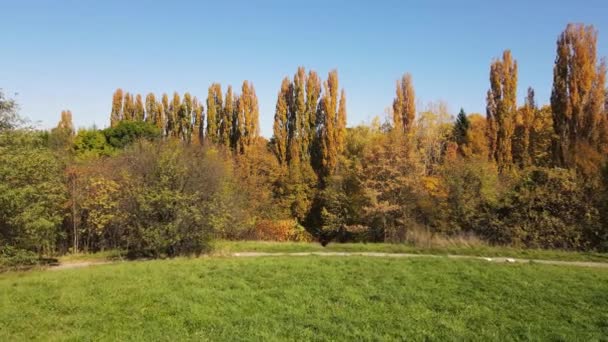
62 54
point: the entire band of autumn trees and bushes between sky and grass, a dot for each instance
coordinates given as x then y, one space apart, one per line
168 176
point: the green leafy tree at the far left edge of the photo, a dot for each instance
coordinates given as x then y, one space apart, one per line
32 194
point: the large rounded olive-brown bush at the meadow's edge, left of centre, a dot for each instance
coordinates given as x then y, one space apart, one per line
176 198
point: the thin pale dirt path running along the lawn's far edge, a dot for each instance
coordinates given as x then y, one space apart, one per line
81 264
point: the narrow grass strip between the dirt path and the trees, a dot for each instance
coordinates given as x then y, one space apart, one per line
227 247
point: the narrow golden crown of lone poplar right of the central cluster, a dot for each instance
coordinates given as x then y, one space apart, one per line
404 104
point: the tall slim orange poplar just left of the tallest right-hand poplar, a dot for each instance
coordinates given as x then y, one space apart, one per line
501 109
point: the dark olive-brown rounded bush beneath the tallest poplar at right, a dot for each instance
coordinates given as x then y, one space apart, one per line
547 208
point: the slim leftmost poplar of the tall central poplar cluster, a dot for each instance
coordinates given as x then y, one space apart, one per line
280 127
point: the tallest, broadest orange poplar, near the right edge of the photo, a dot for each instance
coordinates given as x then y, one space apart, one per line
577 96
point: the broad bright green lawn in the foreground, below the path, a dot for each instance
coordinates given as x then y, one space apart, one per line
306 298
